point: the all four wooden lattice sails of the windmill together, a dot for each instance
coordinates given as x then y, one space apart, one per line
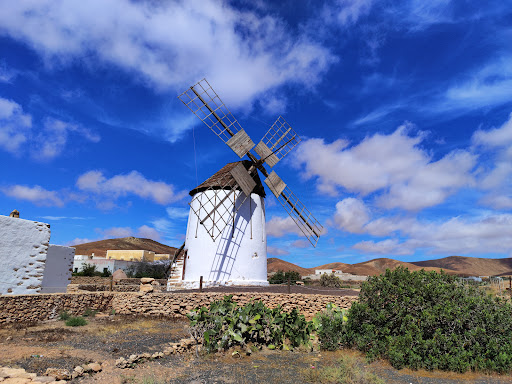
214 212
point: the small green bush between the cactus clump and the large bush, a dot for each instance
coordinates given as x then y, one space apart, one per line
329 326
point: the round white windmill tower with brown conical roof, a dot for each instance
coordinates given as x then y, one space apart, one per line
238 256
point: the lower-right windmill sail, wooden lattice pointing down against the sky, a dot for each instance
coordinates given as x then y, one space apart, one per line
309 226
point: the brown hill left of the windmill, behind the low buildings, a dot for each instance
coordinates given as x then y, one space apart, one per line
99 248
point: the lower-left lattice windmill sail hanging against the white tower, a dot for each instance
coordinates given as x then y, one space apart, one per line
216 206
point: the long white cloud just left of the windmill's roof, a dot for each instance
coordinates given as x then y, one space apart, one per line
131 183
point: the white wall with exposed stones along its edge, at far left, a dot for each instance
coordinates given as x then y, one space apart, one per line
23 247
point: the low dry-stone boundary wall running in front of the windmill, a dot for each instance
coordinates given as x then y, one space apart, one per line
35 308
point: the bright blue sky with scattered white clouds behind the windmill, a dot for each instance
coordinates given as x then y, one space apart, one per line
404 108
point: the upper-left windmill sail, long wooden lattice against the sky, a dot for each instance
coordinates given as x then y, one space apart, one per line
204 102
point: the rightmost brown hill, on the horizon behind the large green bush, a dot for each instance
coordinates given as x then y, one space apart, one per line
473 266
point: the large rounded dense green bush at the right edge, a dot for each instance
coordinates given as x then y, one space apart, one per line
430 320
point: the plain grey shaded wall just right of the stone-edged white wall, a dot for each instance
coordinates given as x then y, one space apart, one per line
57 271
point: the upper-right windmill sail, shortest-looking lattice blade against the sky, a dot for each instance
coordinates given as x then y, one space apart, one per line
279 140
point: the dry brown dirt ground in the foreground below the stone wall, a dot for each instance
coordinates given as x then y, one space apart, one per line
106 338
